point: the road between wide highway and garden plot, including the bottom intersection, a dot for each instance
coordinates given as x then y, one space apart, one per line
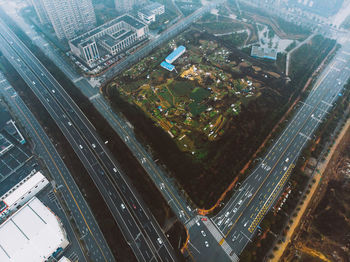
176 200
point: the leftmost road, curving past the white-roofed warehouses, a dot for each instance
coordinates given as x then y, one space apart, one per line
80 211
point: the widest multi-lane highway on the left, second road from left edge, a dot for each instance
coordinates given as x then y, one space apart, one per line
137 224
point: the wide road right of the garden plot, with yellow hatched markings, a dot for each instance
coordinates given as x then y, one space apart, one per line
239 219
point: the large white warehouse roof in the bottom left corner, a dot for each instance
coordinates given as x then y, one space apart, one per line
31 234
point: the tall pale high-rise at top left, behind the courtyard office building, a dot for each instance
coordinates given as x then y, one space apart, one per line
68 17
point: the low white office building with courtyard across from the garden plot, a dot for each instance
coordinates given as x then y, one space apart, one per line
112 37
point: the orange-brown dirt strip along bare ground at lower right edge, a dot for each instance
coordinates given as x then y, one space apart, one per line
318 175
